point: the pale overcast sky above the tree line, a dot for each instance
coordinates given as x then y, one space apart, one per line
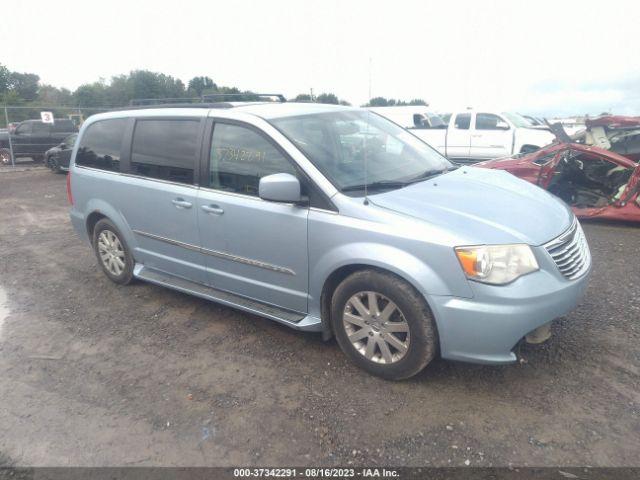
536 57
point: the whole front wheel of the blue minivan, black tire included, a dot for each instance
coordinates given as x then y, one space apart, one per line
409 329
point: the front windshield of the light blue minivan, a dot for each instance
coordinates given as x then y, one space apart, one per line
354 148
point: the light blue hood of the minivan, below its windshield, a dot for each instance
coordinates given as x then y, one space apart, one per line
482 206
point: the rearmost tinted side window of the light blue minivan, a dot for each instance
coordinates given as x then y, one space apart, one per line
100 145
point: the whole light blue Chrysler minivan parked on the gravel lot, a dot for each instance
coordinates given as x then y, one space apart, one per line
327 219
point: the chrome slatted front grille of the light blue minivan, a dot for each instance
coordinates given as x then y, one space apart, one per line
570 252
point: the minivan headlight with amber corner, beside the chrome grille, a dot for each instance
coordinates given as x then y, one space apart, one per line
496 264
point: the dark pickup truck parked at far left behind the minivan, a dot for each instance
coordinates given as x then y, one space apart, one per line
32 138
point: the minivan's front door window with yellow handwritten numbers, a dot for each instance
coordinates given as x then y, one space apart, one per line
240 157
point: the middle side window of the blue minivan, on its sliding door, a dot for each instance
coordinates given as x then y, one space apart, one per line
165 149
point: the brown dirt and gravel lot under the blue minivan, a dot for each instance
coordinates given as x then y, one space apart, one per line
96 374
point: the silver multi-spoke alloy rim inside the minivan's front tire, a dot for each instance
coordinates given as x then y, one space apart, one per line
376 327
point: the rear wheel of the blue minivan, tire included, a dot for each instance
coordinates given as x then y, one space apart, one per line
112 252
